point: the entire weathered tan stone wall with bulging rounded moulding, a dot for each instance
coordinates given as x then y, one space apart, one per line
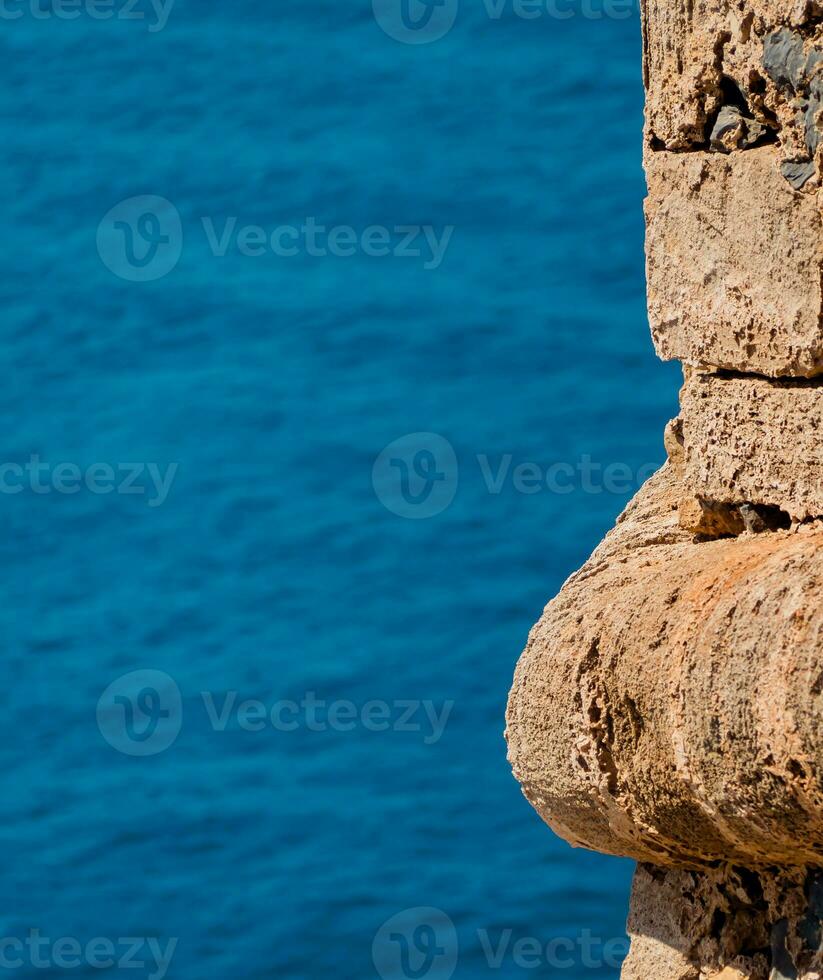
668 704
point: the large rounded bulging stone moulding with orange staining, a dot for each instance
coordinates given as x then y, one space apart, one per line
667 705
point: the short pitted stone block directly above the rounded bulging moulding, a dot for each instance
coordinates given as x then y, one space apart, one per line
754 441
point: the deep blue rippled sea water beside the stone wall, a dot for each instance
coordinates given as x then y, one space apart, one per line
273 568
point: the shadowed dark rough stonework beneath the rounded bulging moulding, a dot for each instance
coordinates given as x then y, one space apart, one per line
725 923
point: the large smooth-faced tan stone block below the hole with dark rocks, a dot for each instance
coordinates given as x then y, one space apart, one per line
734 264
